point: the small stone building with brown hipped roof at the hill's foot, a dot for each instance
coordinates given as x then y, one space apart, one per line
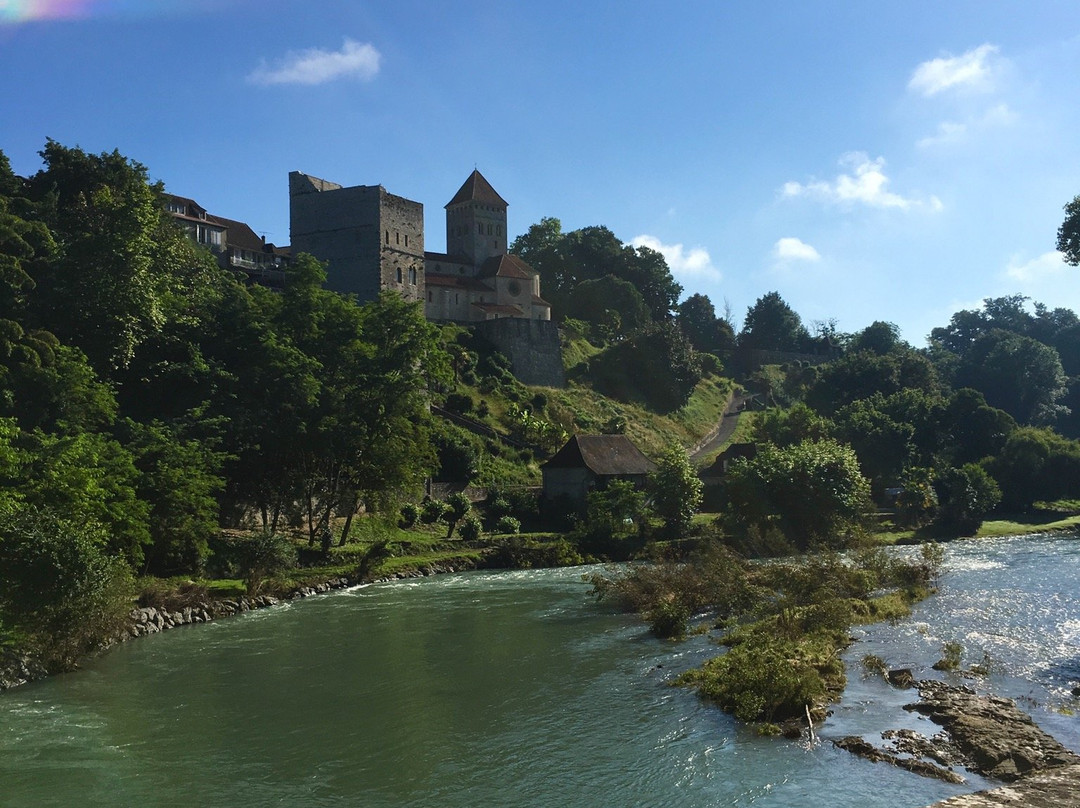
588 463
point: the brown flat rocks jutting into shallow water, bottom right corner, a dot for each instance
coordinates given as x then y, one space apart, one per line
982 734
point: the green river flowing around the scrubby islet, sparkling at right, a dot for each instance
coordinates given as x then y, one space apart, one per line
508 690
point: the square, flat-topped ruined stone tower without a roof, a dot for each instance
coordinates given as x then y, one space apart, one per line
369 238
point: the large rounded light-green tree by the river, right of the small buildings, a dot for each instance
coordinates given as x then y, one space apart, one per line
814 492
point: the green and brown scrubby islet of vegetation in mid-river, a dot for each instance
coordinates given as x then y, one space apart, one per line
785 624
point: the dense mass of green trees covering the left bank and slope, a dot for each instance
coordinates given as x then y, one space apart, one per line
146 396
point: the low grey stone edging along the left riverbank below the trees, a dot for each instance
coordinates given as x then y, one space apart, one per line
20 668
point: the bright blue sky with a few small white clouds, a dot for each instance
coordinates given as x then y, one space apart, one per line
867 160
